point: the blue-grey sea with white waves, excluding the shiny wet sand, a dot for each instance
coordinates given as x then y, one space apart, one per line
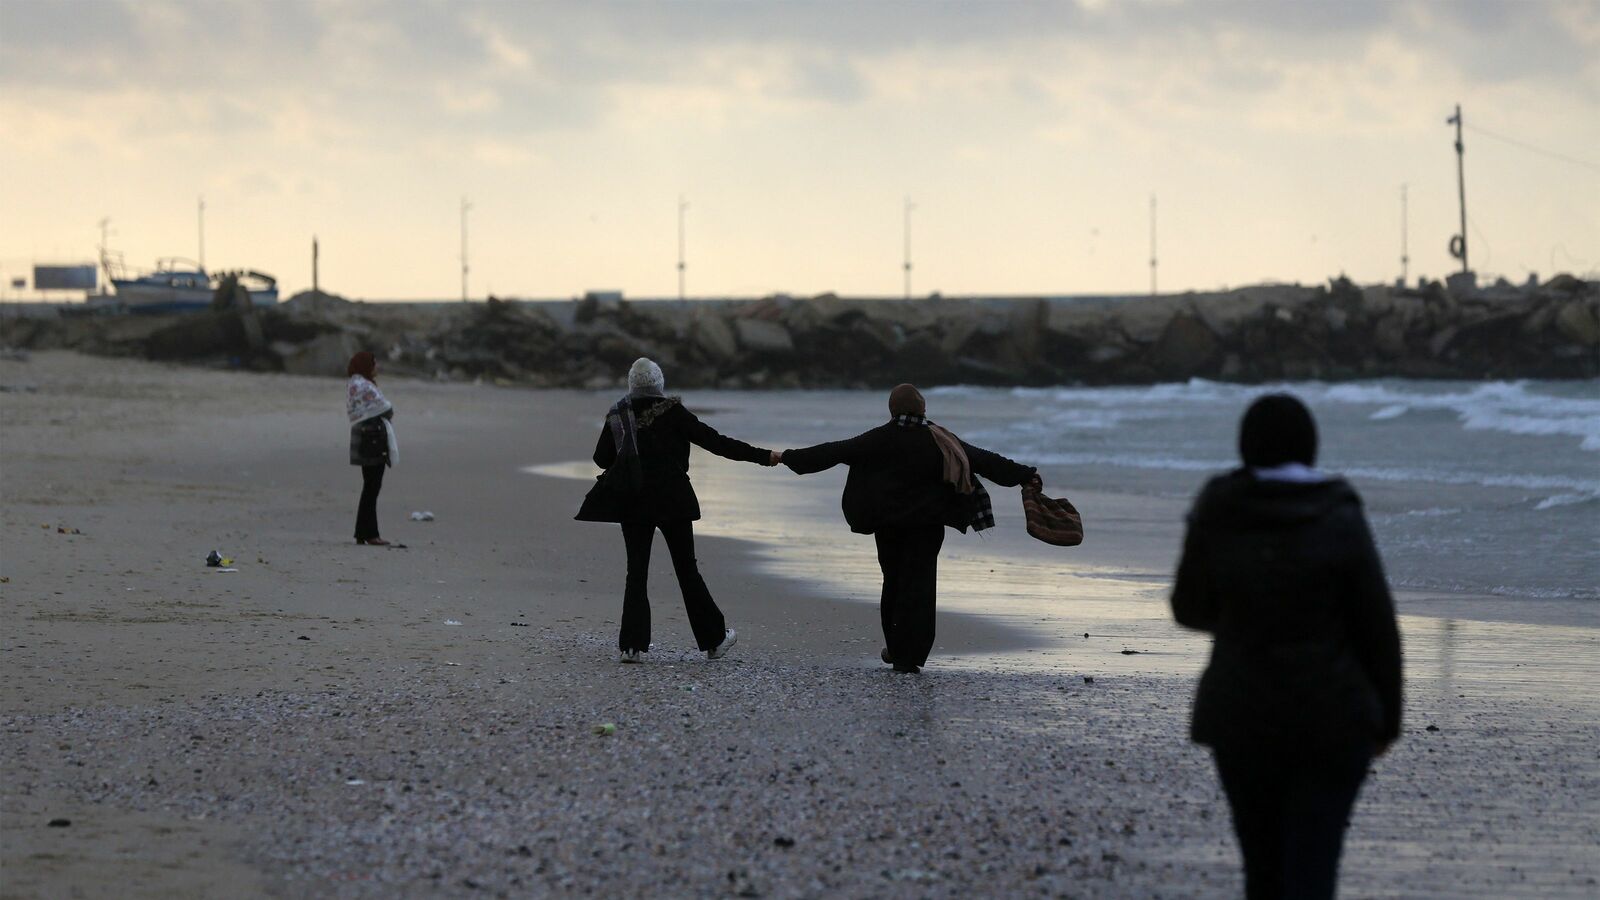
1489 489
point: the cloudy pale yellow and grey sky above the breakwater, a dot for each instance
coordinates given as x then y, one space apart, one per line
1030 137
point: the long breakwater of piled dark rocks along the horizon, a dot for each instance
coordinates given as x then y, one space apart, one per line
1258 334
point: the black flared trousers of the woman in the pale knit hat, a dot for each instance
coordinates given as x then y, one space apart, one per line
705 617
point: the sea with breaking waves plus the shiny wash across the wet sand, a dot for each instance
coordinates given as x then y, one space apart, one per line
1484 492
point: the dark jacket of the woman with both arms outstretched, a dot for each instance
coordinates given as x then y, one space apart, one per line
897 478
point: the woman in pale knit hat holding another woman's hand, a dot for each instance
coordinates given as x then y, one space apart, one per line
646 452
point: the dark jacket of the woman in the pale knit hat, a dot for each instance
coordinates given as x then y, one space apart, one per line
665 435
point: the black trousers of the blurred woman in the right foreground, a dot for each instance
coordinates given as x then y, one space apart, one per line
1290 814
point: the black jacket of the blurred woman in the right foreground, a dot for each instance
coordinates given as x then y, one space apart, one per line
1308 651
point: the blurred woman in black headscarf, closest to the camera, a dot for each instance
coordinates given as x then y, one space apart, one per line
1303 688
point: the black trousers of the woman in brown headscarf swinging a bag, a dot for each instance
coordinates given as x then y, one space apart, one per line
910 558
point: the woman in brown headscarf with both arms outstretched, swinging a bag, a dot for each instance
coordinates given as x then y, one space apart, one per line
910 480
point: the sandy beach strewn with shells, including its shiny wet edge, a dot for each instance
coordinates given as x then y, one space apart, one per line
345 721
